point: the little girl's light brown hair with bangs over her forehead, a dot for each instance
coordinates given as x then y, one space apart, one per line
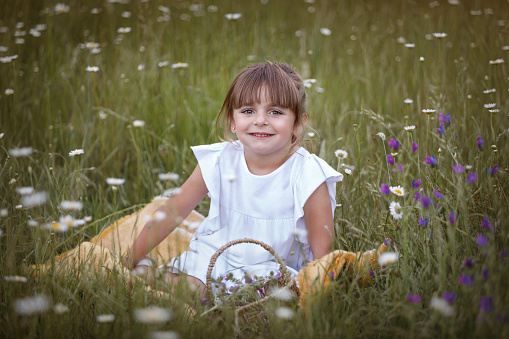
284 86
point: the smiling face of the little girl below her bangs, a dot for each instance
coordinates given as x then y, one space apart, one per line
264 128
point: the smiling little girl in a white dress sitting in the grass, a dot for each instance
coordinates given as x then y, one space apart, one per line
262 186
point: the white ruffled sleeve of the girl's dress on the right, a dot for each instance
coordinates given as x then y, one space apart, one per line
313 173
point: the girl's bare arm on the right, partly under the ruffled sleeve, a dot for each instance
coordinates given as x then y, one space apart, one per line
317 215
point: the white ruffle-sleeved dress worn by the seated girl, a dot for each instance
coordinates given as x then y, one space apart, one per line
268 208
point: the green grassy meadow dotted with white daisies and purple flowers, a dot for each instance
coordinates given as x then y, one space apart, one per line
408 99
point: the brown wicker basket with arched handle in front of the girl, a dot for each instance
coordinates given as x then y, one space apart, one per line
254 310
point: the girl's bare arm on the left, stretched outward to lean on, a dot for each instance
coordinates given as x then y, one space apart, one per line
177 208
